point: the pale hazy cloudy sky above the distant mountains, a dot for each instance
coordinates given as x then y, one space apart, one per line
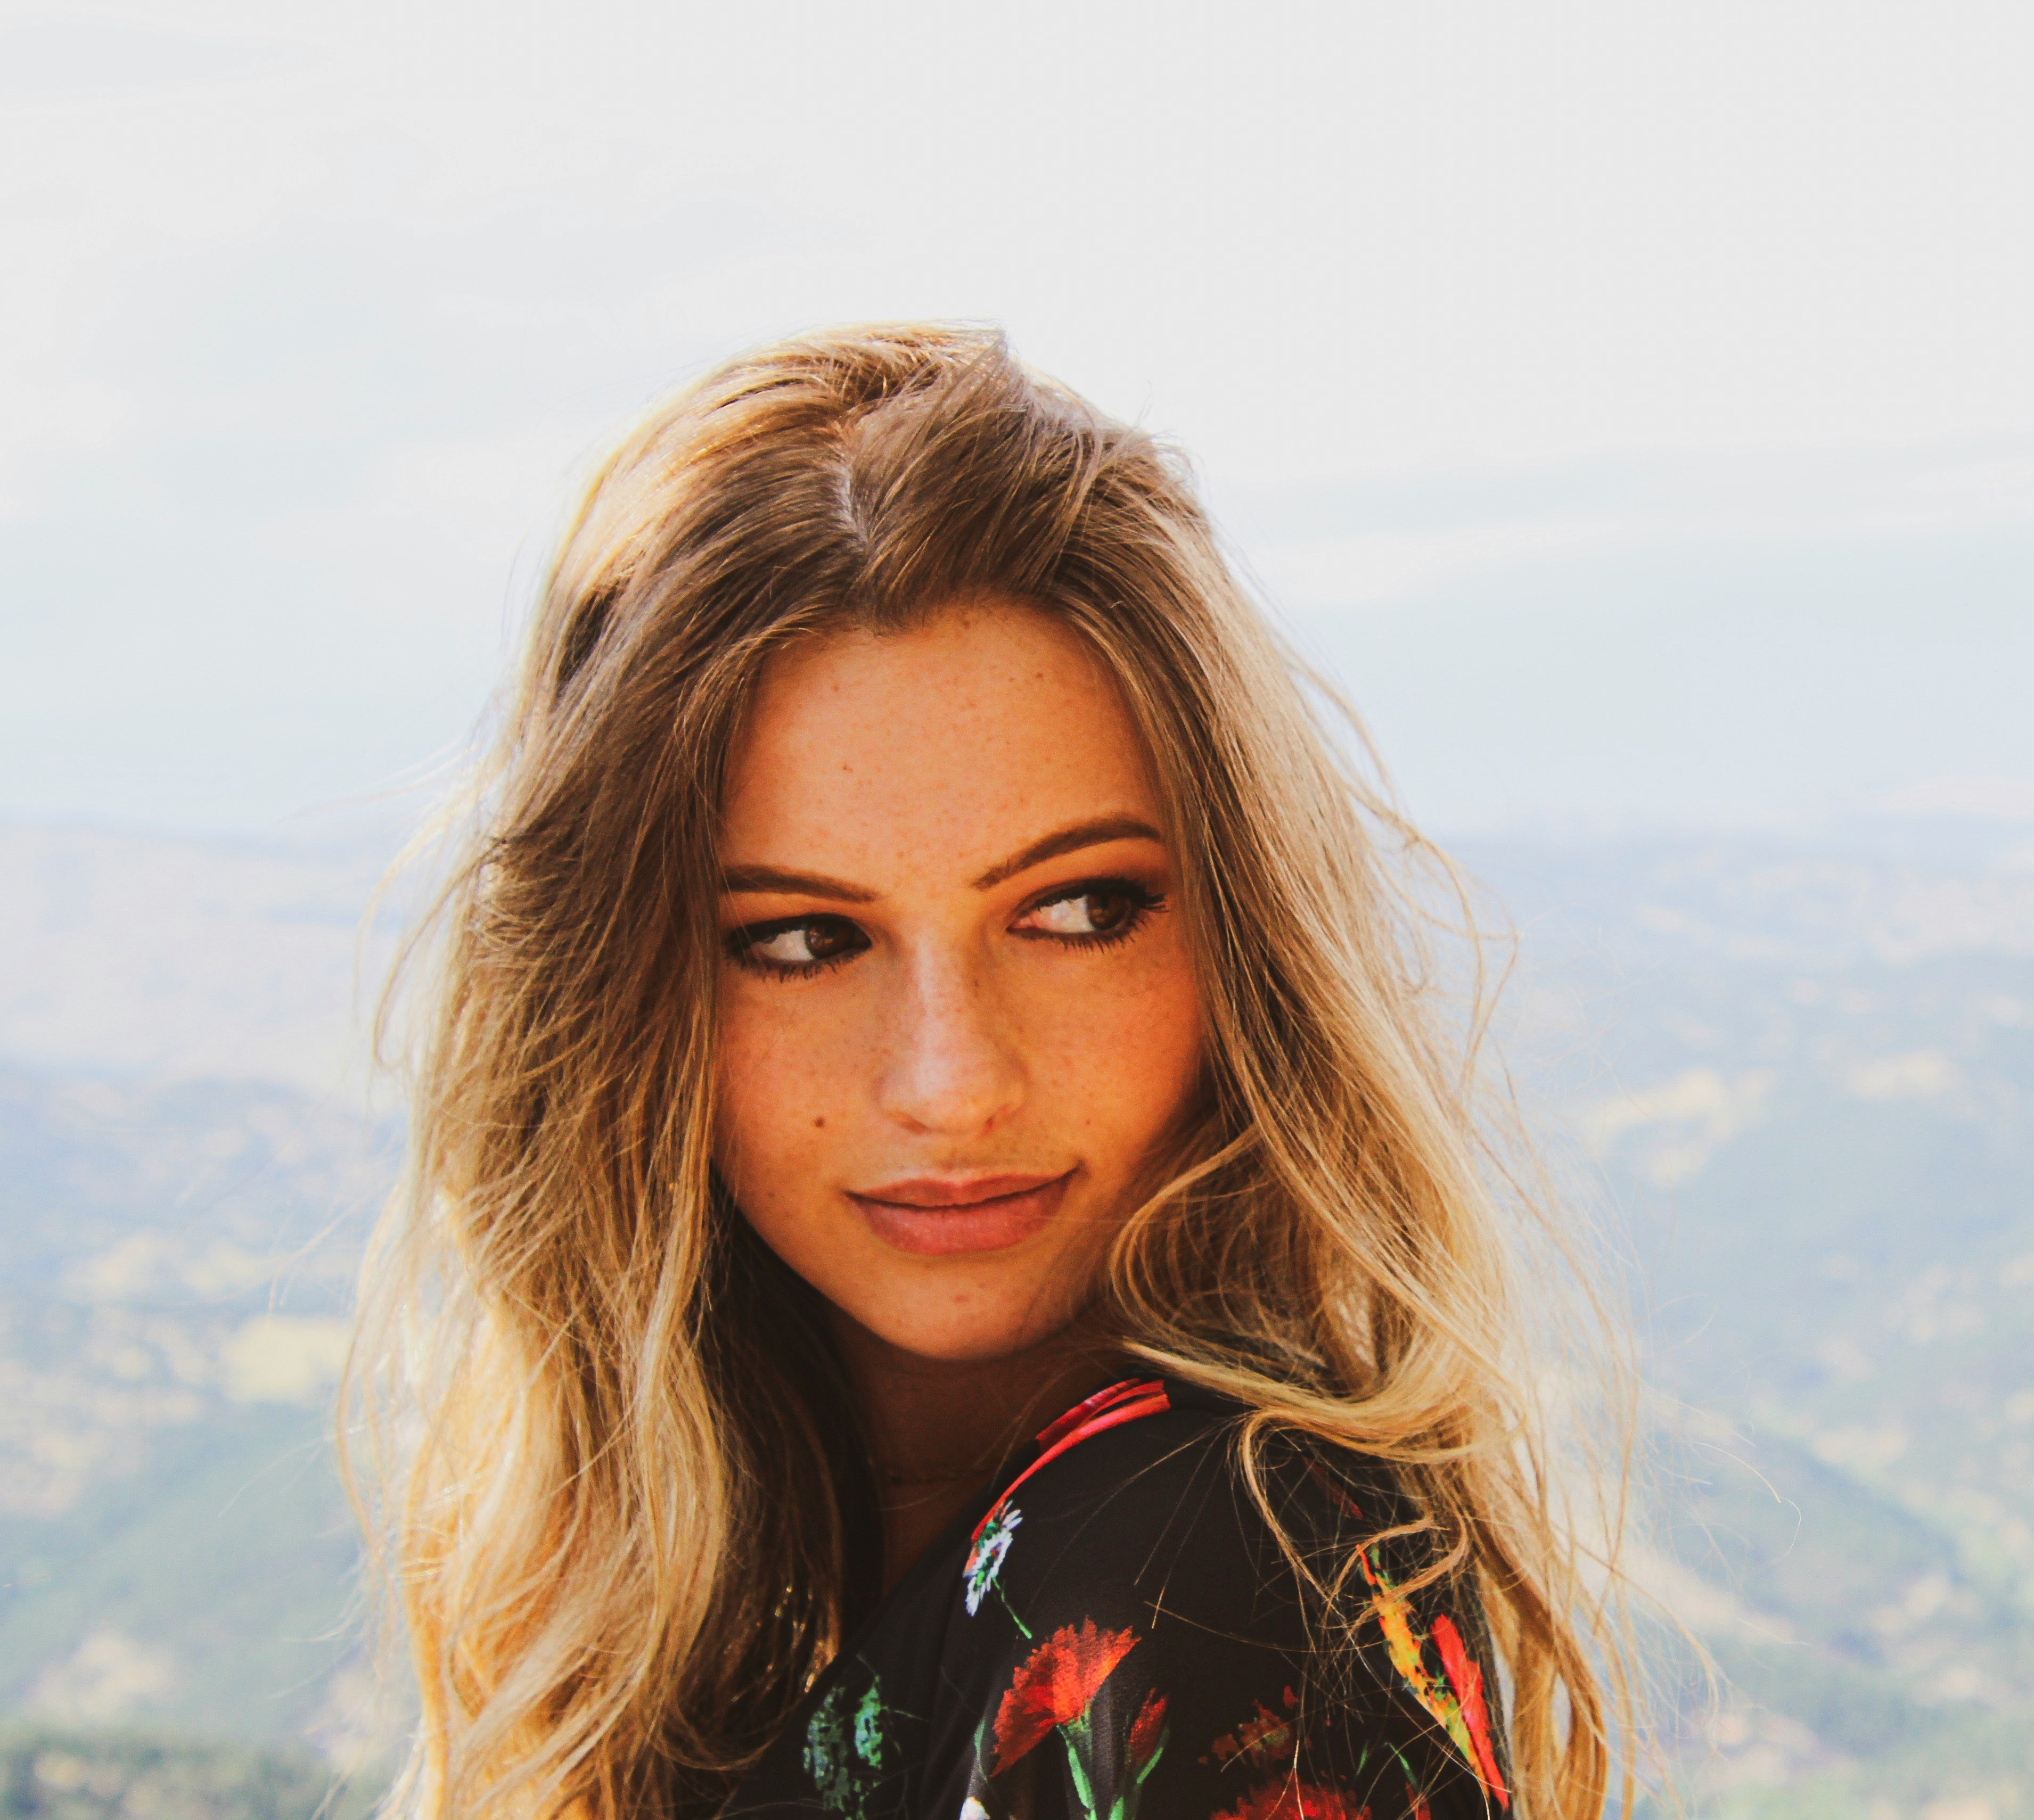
1632 408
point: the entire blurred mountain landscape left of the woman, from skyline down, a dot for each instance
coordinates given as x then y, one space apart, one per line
190 1166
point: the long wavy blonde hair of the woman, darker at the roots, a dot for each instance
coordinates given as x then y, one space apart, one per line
621 1485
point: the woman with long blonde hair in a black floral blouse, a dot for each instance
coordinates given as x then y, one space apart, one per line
951 1266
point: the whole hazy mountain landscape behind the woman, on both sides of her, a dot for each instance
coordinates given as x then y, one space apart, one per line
1799 1071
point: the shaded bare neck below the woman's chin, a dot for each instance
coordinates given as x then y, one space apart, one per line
941 1429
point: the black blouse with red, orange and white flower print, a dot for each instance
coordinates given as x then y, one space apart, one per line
1114 1632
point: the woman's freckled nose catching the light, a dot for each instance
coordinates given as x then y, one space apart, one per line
951 1067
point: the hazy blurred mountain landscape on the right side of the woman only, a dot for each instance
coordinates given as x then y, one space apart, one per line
1805 1079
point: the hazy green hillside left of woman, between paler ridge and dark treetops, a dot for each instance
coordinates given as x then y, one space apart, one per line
174 1542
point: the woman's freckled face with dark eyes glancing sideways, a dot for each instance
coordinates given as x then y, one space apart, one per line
959 1008
